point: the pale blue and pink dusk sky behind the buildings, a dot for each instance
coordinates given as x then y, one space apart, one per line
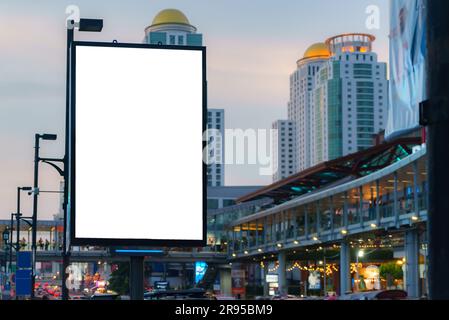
252 48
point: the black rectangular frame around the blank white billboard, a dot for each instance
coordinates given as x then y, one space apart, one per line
111 242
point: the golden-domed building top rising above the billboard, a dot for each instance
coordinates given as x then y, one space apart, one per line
172 27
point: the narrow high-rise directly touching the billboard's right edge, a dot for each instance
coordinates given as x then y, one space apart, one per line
215 170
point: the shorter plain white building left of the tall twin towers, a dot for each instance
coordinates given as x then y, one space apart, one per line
284 149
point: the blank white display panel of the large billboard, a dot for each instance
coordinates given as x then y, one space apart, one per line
138 144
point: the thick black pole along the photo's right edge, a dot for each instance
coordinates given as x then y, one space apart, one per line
435 113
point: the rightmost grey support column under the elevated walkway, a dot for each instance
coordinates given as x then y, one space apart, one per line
412 263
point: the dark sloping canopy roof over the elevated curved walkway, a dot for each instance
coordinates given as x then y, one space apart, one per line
328 173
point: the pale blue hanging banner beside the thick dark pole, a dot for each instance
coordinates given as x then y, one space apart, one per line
407 65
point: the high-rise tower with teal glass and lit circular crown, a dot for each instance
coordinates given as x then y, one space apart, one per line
350 98
